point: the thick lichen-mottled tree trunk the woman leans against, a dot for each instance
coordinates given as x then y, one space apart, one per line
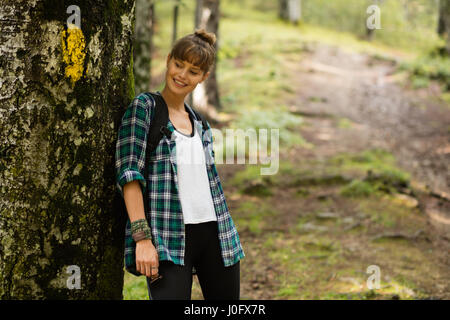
62 95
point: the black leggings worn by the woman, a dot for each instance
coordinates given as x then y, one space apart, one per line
202 251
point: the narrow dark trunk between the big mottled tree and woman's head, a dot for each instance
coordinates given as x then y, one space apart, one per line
143 45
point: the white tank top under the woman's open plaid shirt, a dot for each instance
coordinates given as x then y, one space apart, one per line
193 184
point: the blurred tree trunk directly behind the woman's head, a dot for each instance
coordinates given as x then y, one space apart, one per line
206 96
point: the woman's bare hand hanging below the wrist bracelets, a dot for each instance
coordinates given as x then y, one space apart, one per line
147 262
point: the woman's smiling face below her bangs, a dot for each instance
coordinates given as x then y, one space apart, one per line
182 77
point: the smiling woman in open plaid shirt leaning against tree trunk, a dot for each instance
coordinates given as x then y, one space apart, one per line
188 225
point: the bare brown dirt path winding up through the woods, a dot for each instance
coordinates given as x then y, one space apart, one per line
413 125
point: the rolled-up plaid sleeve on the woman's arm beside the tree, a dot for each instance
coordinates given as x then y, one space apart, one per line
131 144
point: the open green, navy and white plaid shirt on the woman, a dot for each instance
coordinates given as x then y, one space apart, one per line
164 208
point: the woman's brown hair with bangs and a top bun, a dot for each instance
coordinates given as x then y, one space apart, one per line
196 48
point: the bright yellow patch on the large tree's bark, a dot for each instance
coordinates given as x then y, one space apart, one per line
73 44
